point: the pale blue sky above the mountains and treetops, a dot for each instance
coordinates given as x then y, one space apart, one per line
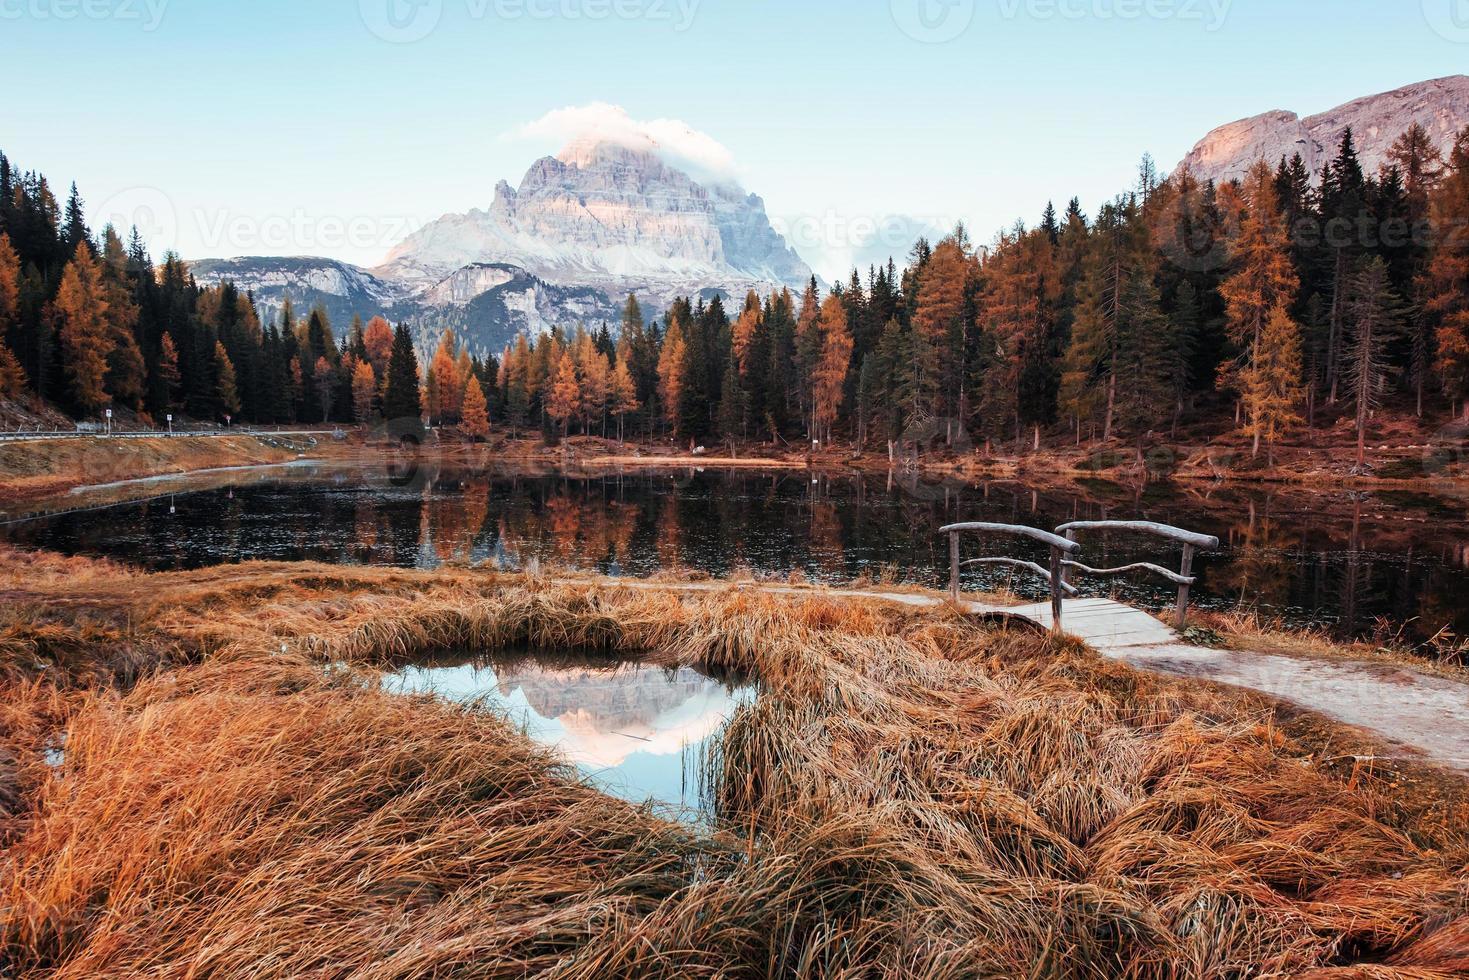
337 127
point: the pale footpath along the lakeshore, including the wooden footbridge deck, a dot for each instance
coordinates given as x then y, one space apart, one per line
1427 716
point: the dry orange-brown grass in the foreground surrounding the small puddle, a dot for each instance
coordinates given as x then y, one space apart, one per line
912 796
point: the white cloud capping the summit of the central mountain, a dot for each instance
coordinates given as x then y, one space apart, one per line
678 143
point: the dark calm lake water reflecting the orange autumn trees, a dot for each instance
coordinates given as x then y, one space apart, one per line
1360 563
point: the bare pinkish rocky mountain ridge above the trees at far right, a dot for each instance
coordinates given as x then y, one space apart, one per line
1227 154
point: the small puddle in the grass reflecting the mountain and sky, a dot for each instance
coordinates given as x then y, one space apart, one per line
637 731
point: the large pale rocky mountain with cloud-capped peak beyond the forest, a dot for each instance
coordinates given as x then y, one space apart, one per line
566 248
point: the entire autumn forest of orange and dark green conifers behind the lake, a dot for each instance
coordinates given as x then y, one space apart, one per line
1271 303
